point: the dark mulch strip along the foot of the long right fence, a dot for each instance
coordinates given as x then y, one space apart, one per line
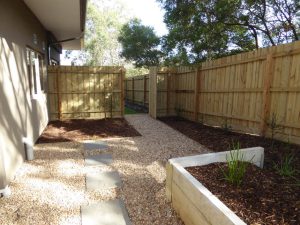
217 139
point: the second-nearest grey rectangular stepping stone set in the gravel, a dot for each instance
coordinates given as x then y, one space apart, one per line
102 180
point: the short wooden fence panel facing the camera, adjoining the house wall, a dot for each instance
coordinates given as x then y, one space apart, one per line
81 92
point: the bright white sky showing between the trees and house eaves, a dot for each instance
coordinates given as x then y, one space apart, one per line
148 11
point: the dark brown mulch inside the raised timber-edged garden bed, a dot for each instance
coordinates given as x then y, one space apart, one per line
262 198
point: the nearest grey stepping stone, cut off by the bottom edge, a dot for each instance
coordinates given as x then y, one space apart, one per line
111 212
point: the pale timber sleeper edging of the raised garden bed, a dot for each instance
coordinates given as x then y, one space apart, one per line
195 204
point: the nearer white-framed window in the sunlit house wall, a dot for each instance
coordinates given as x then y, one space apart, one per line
35 68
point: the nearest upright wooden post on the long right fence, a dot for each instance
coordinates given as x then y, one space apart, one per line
266 93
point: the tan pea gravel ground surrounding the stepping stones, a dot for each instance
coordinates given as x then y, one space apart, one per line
51 189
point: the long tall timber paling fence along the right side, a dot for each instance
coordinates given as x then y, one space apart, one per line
242 92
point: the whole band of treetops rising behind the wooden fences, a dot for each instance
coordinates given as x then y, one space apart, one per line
198 30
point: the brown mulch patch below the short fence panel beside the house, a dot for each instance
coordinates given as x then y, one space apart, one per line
81 129
